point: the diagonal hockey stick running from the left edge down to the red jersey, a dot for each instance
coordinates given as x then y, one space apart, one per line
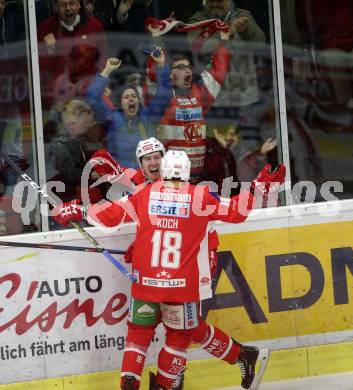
79 228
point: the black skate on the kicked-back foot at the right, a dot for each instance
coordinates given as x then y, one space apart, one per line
247 360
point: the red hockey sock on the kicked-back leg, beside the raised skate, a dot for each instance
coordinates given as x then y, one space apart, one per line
220 345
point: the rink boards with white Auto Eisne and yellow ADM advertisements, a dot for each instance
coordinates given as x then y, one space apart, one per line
64 313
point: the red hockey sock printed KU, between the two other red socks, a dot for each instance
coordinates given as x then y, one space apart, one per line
170 363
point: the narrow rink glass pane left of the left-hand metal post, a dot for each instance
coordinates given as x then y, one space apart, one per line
16 127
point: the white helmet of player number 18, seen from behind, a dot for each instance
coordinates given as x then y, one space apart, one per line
175 165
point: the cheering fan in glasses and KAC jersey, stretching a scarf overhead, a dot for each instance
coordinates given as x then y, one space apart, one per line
183 125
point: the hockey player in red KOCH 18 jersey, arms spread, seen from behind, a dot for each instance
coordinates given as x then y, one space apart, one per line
168 260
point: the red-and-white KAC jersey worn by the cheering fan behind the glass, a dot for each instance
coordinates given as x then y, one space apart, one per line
183 125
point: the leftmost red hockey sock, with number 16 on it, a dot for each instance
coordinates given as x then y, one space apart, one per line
133 361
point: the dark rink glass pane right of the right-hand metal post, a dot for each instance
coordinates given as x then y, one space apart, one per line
318 73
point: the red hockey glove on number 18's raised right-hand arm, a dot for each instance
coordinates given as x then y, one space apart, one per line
268 181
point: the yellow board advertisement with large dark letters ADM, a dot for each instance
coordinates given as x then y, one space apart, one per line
286 282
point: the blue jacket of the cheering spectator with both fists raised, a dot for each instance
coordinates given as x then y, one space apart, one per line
123 134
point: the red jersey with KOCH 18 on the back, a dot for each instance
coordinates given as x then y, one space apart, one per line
170 256
